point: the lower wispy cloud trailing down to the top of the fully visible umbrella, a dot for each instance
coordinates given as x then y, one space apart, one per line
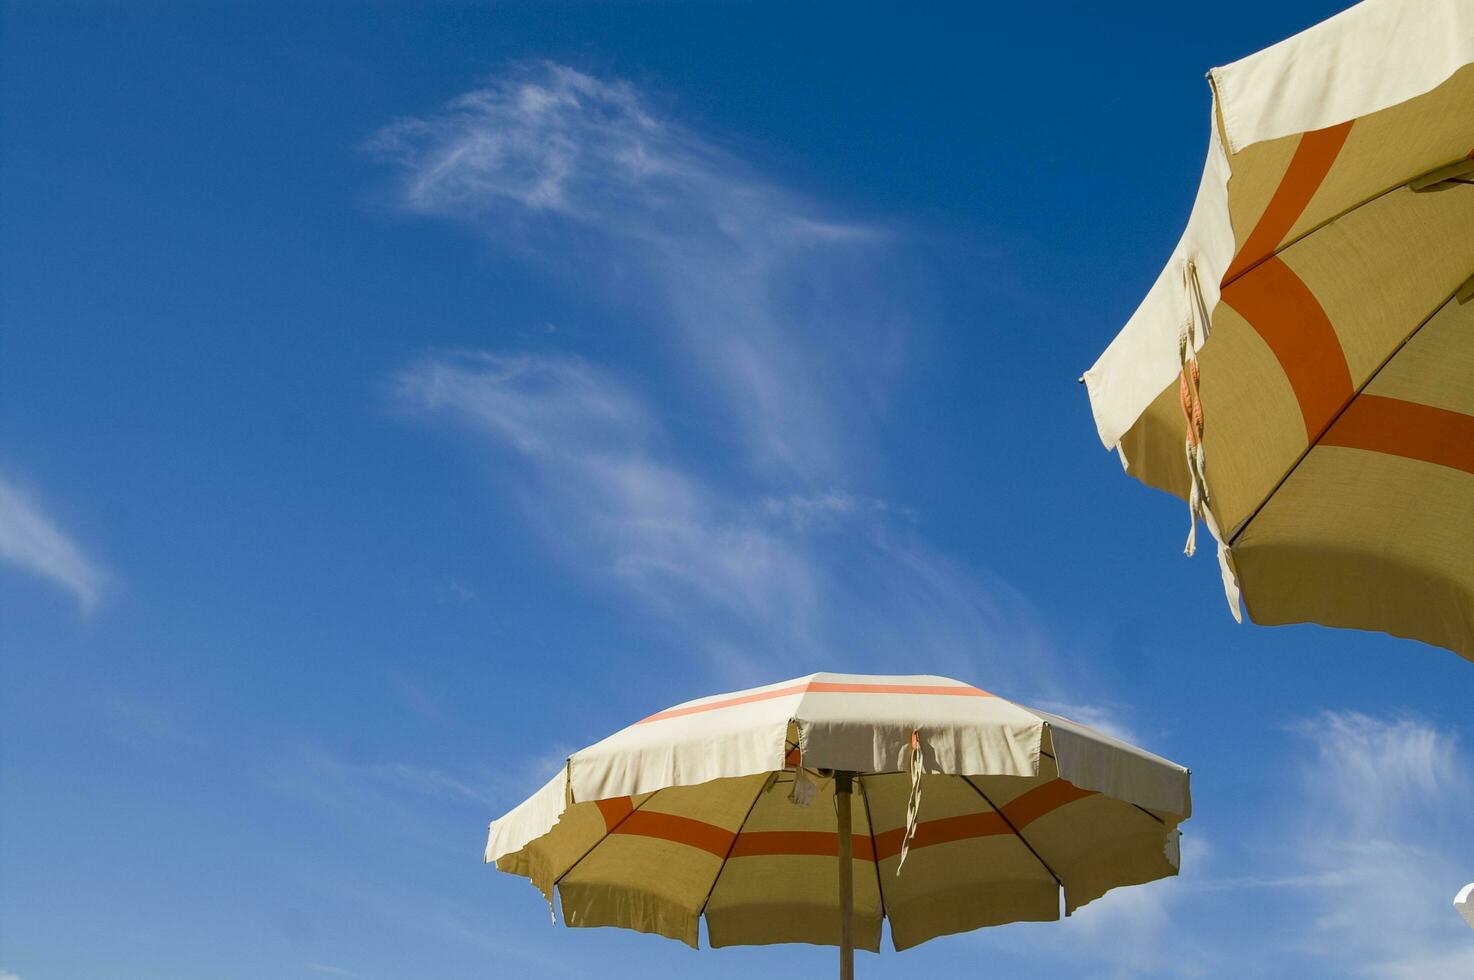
806 581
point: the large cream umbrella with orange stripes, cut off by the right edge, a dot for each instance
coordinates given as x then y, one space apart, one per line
1302 372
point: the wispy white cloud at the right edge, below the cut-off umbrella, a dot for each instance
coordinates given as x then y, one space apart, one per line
1367 850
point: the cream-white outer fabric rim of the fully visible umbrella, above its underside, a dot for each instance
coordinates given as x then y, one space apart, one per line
963 736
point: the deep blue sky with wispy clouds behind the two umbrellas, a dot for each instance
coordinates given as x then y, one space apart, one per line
396 399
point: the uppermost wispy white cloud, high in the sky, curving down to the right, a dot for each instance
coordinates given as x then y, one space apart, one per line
779 306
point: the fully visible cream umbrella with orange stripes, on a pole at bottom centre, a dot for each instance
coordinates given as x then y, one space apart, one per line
810 811
